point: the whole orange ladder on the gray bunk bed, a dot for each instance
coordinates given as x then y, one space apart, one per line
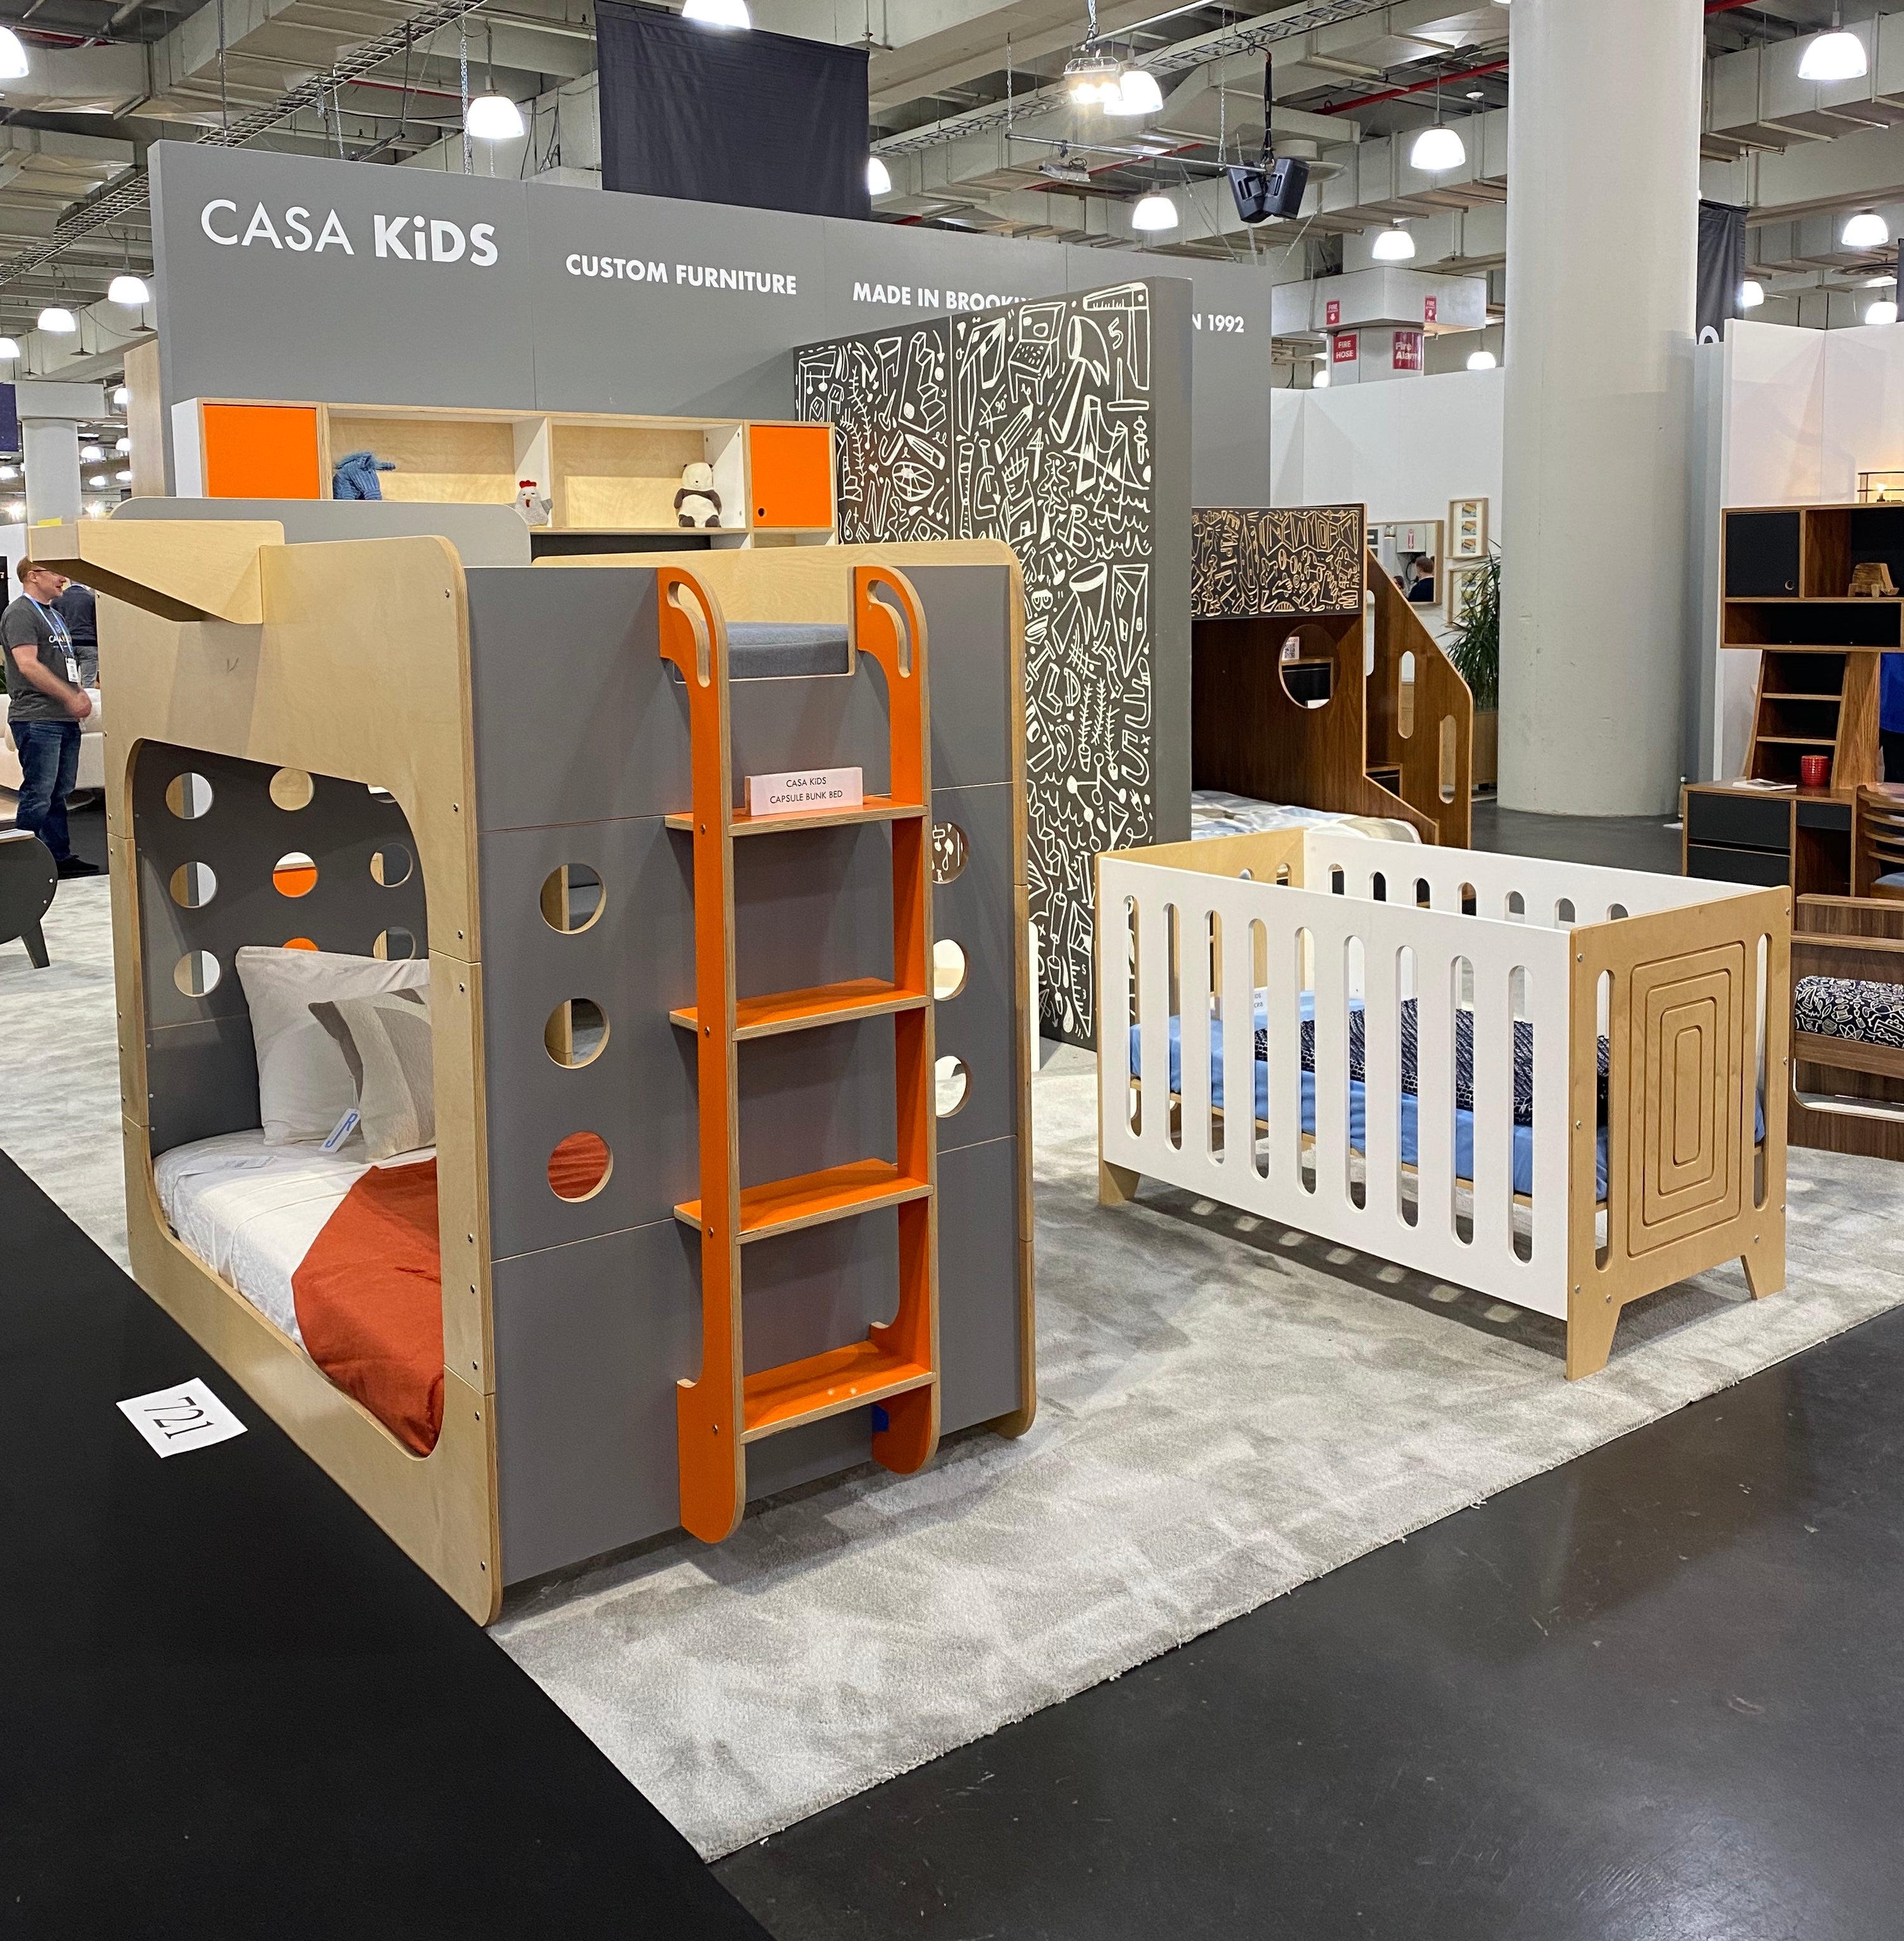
898 1365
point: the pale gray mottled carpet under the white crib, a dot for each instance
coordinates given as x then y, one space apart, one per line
1224 1416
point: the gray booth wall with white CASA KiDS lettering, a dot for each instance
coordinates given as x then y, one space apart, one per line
587 302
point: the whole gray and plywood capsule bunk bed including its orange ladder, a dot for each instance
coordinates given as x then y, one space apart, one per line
669 1039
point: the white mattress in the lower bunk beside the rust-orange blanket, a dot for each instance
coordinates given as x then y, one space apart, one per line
251 1210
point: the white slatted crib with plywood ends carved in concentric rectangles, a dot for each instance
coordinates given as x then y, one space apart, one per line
1688 983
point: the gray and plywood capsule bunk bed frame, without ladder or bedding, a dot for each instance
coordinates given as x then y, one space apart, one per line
523 721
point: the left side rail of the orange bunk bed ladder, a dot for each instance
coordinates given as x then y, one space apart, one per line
709 1410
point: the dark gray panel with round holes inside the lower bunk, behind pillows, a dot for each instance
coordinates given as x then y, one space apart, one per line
224 863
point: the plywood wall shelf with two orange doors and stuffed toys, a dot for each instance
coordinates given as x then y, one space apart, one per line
603 475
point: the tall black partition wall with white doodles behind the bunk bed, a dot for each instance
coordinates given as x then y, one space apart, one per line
1049 447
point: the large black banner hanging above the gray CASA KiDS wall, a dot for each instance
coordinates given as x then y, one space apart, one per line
731 115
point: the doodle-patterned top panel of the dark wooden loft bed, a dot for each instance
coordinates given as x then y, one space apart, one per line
1303 560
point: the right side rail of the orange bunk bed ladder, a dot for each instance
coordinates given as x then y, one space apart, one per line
911 1430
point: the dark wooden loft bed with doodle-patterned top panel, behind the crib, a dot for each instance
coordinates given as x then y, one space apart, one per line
1315 682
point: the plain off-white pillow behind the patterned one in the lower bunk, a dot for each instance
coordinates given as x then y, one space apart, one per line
304 1080
